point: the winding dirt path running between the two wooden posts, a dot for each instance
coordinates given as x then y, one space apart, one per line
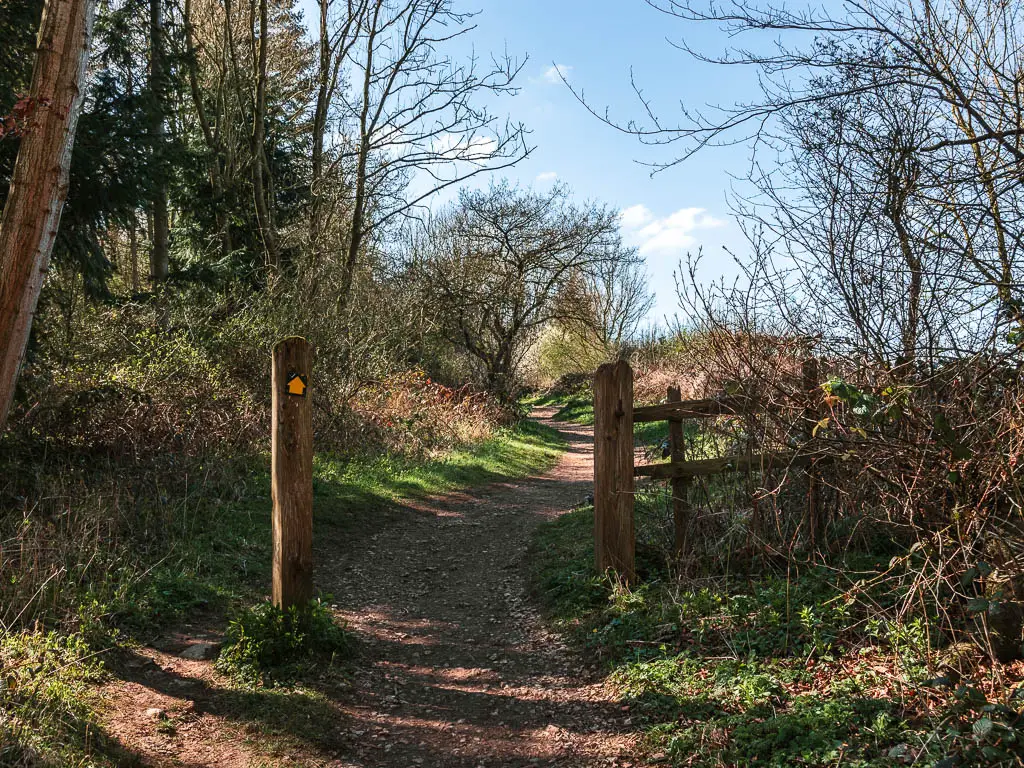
462 672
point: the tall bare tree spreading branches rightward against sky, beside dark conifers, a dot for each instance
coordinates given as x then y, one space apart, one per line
416 117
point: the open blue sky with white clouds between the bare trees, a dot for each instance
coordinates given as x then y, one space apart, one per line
596 45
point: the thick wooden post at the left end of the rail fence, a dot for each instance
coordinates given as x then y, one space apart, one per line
614 482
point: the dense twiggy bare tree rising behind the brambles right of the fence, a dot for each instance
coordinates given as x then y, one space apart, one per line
852 206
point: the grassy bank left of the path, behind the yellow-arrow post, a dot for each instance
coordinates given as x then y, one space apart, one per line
200 554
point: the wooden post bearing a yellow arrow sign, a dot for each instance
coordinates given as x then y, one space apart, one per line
292 474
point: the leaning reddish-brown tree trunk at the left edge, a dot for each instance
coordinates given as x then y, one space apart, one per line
39 185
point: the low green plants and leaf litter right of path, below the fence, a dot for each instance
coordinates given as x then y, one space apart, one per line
771 670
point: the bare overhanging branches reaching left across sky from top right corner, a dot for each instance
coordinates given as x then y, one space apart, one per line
965 55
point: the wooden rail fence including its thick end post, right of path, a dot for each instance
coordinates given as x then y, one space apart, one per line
615 471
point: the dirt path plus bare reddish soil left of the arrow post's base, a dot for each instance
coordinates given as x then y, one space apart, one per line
456 669
